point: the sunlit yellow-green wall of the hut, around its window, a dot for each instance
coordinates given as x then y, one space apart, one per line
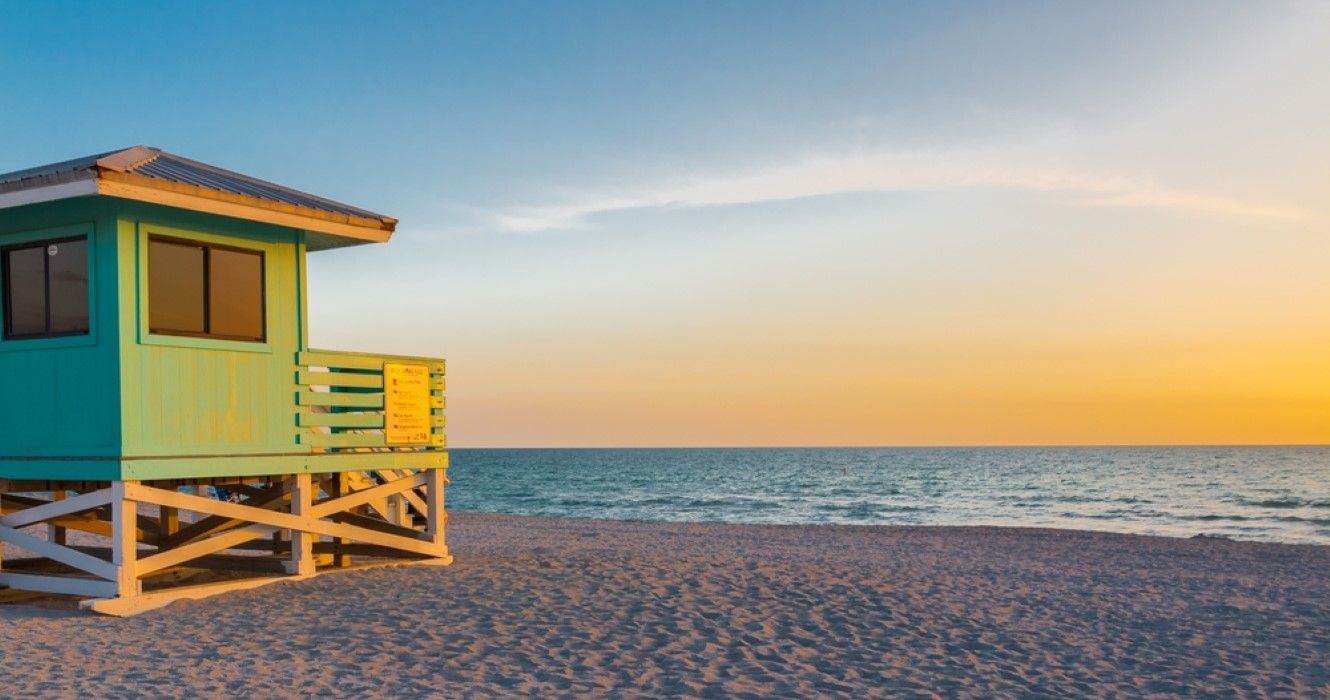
204 397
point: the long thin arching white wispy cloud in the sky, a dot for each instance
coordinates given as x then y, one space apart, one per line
861 174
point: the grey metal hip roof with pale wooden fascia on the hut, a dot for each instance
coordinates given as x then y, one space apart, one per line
128 172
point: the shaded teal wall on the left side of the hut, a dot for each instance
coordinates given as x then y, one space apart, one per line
61 397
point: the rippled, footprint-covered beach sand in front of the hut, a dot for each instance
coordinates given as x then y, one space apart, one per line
559 608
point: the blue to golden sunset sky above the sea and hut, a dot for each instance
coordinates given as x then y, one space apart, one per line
768 223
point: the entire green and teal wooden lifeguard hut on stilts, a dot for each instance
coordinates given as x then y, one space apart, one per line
155 351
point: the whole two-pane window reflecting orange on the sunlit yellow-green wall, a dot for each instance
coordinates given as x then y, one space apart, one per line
205 291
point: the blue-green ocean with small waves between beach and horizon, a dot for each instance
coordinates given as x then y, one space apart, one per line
1275 494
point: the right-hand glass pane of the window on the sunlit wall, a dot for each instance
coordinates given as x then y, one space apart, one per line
236 293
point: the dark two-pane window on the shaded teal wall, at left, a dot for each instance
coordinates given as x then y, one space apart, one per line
46 289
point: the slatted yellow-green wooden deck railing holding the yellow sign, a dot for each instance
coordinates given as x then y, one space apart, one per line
341 404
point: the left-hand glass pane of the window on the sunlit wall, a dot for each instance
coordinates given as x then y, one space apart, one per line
175 288
